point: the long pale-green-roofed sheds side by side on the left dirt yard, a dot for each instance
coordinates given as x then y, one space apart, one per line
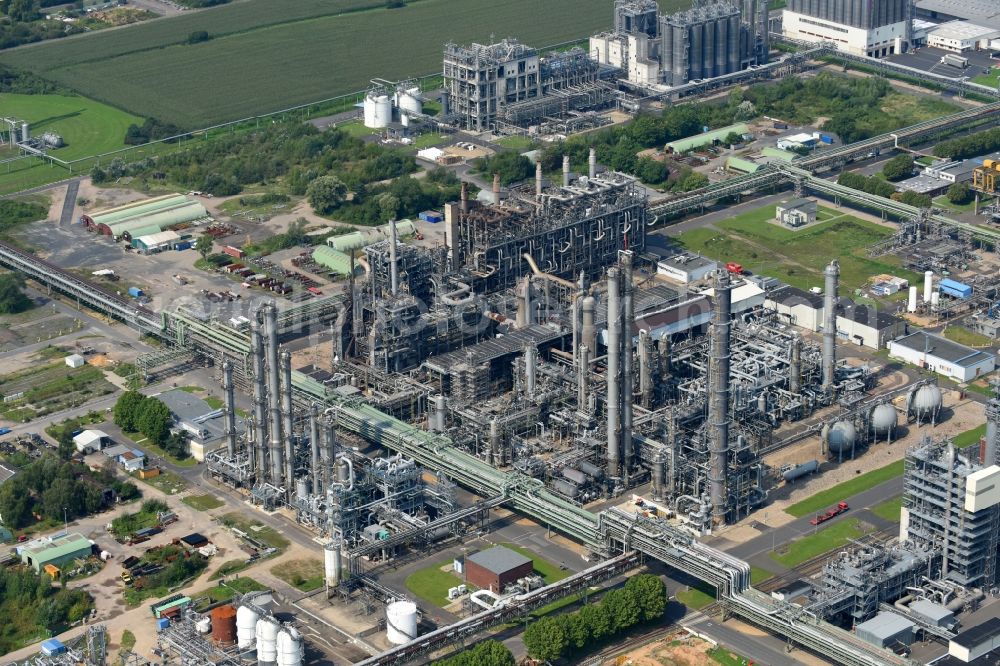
142 218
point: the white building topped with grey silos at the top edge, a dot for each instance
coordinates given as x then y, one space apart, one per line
874 28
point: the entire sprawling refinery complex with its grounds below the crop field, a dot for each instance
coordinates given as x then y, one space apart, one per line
467 402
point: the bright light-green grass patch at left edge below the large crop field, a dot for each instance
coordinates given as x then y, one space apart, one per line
87 127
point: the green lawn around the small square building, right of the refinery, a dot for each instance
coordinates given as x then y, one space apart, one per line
797 257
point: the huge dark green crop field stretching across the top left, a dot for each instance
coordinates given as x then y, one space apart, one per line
302 52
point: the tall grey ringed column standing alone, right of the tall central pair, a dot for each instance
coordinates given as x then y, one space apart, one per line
718 397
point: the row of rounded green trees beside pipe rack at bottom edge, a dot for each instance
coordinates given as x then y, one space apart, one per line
643 599
